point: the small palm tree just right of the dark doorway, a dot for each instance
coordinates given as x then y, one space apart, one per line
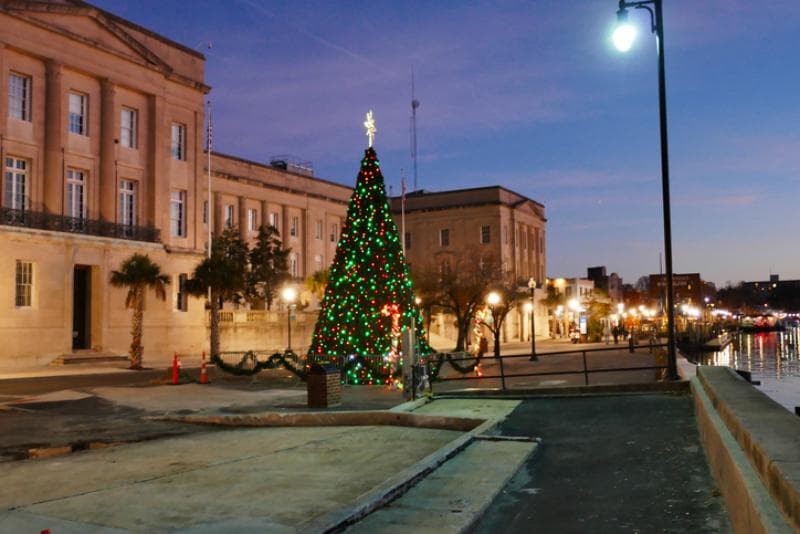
137 273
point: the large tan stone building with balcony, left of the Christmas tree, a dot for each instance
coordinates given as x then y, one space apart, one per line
101 138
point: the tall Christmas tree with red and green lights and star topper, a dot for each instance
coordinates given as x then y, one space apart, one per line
369 298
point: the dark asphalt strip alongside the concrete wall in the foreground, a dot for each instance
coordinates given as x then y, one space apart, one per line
609 464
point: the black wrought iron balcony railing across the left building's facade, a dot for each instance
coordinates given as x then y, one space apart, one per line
60 223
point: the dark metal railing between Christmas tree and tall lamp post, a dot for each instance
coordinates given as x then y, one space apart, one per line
585 370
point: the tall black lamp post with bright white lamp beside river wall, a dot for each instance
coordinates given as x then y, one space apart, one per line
624 36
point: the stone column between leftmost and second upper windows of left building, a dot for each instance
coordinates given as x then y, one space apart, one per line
54 137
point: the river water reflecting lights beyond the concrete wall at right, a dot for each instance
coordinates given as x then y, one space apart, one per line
772 358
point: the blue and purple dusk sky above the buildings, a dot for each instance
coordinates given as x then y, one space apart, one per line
531 96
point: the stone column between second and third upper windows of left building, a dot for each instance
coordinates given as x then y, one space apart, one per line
107 181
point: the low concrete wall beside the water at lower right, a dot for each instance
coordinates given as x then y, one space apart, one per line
752 446
